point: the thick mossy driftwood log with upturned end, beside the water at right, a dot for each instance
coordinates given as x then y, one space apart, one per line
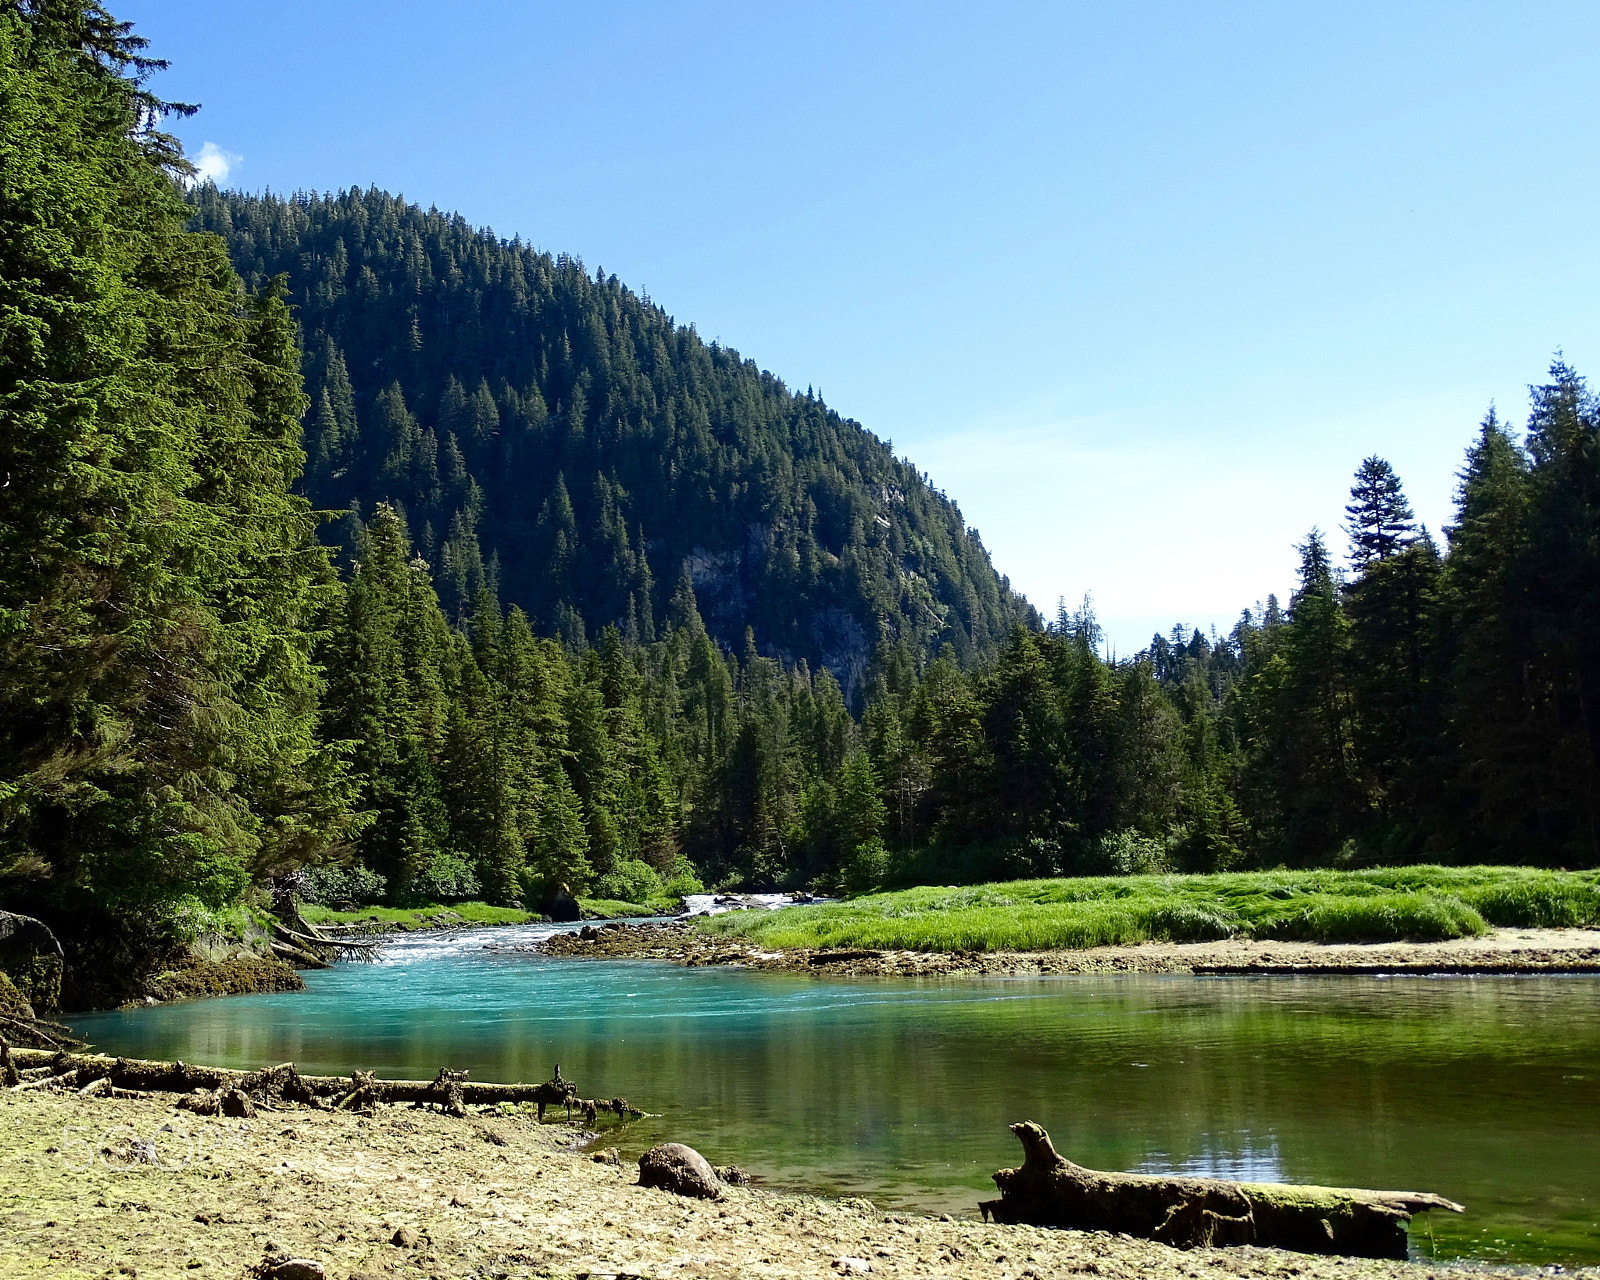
1050 1191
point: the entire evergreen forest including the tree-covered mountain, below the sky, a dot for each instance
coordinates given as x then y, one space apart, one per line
348 546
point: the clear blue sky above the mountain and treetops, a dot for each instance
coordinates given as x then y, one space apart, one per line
1137 284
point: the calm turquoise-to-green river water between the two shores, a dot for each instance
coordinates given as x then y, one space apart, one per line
1482 1089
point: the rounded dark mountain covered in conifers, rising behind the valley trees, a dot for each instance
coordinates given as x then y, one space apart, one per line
561 439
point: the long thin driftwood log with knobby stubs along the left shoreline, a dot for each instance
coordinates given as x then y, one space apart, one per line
214 1089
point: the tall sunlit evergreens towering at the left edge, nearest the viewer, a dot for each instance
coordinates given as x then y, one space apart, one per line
158 578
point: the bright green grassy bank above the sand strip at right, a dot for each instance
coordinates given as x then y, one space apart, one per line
1314 906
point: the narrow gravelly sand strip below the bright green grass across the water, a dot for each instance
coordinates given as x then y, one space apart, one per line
1503 951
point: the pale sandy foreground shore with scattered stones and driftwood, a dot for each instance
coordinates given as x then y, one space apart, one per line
482 1198
